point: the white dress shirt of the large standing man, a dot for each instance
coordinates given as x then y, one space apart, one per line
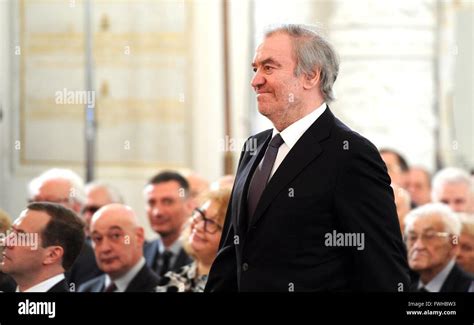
293 133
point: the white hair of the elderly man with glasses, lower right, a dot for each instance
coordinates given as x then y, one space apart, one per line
449 218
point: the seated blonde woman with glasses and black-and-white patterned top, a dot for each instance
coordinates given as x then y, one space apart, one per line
200 238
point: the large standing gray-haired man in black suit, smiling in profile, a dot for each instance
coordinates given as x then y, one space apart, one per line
312 208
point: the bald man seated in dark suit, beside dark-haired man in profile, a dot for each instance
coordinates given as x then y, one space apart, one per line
118 244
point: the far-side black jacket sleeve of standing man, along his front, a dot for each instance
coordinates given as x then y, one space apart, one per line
223 274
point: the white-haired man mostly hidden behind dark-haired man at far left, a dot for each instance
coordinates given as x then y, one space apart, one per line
65 187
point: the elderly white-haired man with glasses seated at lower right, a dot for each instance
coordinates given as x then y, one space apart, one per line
431 234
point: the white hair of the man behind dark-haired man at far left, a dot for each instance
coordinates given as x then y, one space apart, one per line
76 182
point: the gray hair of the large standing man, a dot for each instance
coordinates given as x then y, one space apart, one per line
312 51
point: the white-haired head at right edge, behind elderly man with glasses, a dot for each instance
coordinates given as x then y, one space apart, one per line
454 187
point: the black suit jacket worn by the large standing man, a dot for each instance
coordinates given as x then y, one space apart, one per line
333 179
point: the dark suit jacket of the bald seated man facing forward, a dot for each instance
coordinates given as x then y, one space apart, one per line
145 281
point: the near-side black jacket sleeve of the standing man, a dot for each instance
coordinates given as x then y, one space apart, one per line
364 204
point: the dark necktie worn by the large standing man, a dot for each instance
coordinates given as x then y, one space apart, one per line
262 174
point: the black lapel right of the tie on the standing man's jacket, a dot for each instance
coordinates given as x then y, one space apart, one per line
305 150
